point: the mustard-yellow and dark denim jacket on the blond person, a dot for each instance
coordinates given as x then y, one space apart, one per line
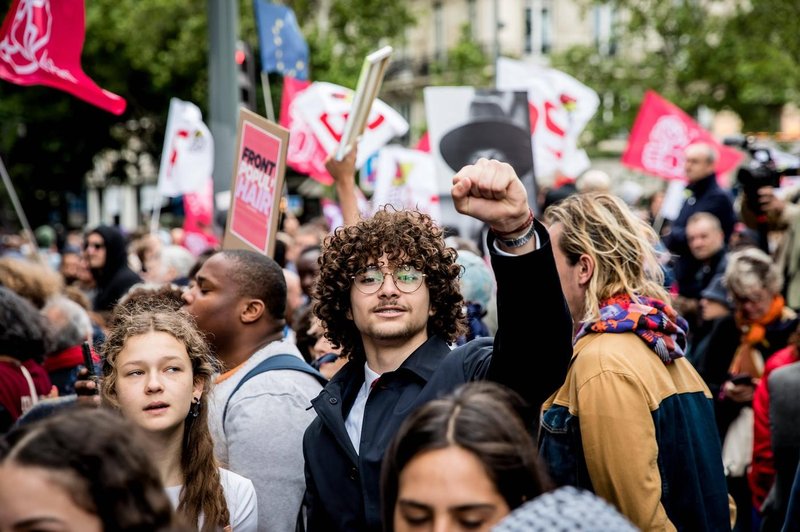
639 433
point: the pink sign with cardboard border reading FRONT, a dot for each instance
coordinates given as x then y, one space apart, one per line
257 184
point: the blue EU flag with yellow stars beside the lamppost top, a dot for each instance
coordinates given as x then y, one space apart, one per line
283 48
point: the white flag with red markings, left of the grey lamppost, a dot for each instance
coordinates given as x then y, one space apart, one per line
187 161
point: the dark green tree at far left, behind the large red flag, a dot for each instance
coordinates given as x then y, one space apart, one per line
145 50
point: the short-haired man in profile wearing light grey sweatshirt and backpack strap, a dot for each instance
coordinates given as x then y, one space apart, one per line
238 298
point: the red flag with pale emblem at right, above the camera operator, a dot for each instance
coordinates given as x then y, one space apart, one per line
661 133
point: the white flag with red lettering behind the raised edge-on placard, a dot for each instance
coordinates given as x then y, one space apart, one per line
325 107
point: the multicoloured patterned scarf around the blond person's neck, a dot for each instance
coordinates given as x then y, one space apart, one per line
655 322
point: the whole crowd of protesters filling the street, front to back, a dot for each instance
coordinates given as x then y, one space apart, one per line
573 370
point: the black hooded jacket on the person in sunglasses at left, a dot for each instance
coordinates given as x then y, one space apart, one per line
114 279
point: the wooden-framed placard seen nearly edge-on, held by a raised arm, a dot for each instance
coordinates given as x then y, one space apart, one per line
369 83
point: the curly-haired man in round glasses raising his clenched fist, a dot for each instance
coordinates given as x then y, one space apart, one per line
388 294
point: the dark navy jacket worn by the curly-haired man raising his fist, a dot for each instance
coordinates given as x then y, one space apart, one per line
530 354
